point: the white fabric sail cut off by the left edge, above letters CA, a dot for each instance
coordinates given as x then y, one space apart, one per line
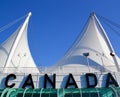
15 53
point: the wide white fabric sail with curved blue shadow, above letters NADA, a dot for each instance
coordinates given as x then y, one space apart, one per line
91 52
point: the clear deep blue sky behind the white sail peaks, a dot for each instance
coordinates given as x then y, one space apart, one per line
55 24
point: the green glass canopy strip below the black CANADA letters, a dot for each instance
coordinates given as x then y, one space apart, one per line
75 92
